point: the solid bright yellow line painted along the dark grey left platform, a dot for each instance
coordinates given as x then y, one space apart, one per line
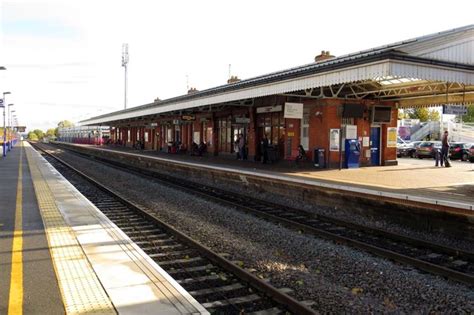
15 303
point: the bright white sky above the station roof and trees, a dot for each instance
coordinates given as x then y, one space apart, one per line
63 57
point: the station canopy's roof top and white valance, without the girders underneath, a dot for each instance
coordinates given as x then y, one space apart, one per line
446 57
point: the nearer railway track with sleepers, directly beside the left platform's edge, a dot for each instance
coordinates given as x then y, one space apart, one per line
221 286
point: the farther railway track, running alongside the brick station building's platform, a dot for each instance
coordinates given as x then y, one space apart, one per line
454 264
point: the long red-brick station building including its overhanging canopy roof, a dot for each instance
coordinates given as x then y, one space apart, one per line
317 105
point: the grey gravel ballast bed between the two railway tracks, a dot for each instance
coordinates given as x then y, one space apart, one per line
337 278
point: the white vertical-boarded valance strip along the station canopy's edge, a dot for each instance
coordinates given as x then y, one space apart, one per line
363 72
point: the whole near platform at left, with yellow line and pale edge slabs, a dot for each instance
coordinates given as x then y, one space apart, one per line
61 255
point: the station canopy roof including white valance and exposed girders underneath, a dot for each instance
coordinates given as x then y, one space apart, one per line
432 69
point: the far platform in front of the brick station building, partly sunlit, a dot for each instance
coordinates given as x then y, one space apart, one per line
409 182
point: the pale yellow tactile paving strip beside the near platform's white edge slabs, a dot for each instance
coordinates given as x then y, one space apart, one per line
81 290
